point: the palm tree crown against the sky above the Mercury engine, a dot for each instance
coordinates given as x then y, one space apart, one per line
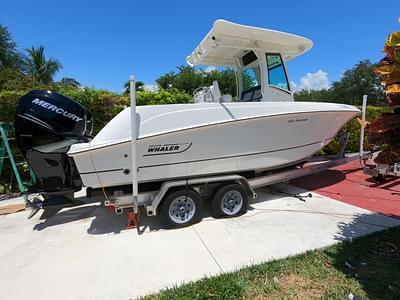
41 69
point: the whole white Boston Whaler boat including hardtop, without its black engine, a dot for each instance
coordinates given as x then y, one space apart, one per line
265 129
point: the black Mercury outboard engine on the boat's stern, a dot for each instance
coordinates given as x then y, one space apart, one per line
46 125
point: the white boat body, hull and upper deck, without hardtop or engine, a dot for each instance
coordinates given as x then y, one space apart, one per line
177 141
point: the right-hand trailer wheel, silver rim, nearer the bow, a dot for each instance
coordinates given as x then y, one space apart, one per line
230 200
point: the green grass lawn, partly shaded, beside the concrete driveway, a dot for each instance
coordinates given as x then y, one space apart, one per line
368 267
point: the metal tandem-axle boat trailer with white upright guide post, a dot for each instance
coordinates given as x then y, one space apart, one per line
240 186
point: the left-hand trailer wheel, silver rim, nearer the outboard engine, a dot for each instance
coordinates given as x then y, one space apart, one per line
181 208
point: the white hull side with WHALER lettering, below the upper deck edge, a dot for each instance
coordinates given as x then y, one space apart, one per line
238 145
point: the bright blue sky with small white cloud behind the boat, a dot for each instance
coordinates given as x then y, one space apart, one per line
100 43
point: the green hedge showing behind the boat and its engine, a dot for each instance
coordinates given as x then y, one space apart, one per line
105 105
